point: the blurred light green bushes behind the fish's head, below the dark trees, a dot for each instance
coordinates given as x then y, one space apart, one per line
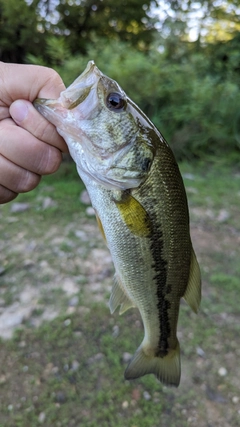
196 110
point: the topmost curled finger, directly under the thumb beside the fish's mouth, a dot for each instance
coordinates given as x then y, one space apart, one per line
26 116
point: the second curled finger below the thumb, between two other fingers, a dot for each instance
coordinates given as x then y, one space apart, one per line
25 150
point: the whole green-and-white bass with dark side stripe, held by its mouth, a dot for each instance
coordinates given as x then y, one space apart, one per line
141 207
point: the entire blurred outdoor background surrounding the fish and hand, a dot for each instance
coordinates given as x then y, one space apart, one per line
62 355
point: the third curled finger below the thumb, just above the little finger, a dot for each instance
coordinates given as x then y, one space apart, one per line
15 178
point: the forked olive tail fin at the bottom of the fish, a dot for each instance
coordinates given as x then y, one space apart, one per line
167 369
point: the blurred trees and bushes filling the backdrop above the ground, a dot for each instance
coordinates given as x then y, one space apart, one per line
178 60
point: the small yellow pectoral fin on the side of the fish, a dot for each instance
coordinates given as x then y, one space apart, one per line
134 216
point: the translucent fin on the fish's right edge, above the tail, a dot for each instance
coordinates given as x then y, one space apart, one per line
193 292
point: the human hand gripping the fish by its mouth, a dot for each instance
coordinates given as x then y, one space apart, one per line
29 145
